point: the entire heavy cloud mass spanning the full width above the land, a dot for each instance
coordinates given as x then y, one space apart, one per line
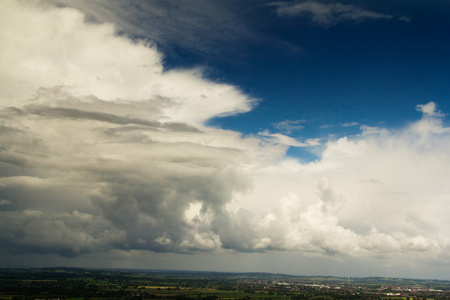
101 149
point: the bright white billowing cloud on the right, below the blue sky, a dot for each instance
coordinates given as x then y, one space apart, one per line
380 195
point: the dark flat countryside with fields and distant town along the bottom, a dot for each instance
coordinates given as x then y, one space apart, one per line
80 284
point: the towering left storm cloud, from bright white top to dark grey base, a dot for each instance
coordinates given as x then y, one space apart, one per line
97 137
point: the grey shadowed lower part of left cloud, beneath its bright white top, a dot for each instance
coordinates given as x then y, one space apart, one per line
139 194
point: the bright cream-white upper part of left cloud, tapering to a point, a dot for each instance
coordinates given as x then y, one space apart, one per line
54 47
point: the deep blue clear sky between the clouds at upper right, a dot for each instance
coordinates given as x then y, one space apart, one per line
366 71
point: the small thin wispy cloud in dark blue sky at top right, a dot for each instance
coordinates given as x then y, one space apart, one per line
326 14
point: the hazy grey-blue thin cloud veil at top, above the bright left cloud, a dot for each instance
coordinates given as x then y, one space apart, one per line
193 25
